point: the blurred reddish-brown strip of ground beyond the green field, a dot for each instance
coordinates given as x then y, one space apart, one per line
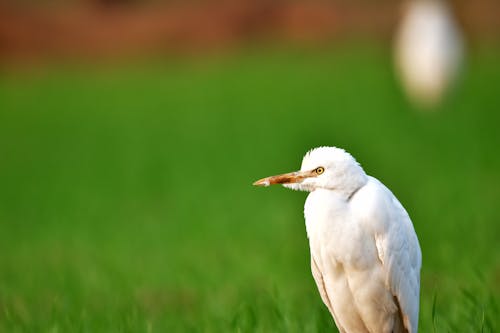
108 28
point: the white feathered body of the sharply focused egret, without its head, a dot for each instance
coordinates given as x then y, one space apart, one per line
347 242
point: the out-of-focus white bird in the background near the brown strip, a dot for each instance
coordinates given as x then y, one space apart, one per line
428 51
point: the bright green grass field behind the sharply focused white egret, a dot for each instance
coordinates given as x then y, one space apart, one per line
126 202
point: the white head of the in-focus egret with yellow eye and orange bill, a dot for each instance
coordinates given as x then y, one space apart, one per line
322 168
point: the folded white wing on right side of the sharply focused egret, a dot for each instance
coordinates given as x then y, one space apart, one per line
399 251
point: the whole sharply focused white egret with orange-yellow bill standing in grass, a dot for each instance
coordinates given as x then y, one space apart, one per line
365 255
